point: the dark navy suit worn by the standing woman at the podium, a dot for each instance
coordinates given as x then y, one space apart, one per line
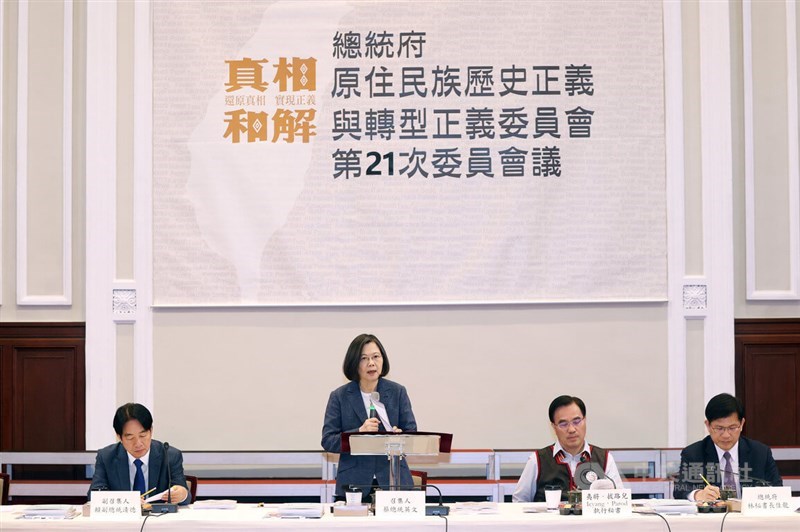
346 413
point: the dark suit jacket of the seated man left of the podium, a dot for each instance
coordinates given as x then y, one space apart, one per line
112 472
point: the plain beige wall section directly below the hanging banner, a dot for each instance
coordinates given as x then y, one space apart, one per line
487 375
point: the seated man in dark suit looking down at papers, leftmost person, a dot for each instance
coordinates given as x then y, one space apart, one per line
137 462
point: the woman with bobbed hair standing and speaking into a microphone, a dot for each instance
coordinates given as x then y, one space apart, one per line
368 403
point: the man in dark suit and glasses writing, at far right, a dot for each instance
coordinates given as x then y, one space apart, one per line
726 459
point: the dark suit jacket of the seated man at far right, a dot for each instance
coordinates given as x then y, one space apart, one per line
756 466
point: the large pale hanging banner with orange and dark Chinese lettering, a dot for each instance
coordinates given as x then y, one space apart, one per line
315 153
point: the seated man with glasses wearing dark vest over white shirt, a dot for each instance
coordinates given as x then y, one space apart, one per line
555 465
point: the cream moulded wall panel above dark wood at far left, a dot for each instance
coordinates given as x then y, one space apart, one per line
48 255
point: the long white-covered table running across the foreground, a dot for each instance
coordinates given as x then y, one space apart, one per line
510 518
